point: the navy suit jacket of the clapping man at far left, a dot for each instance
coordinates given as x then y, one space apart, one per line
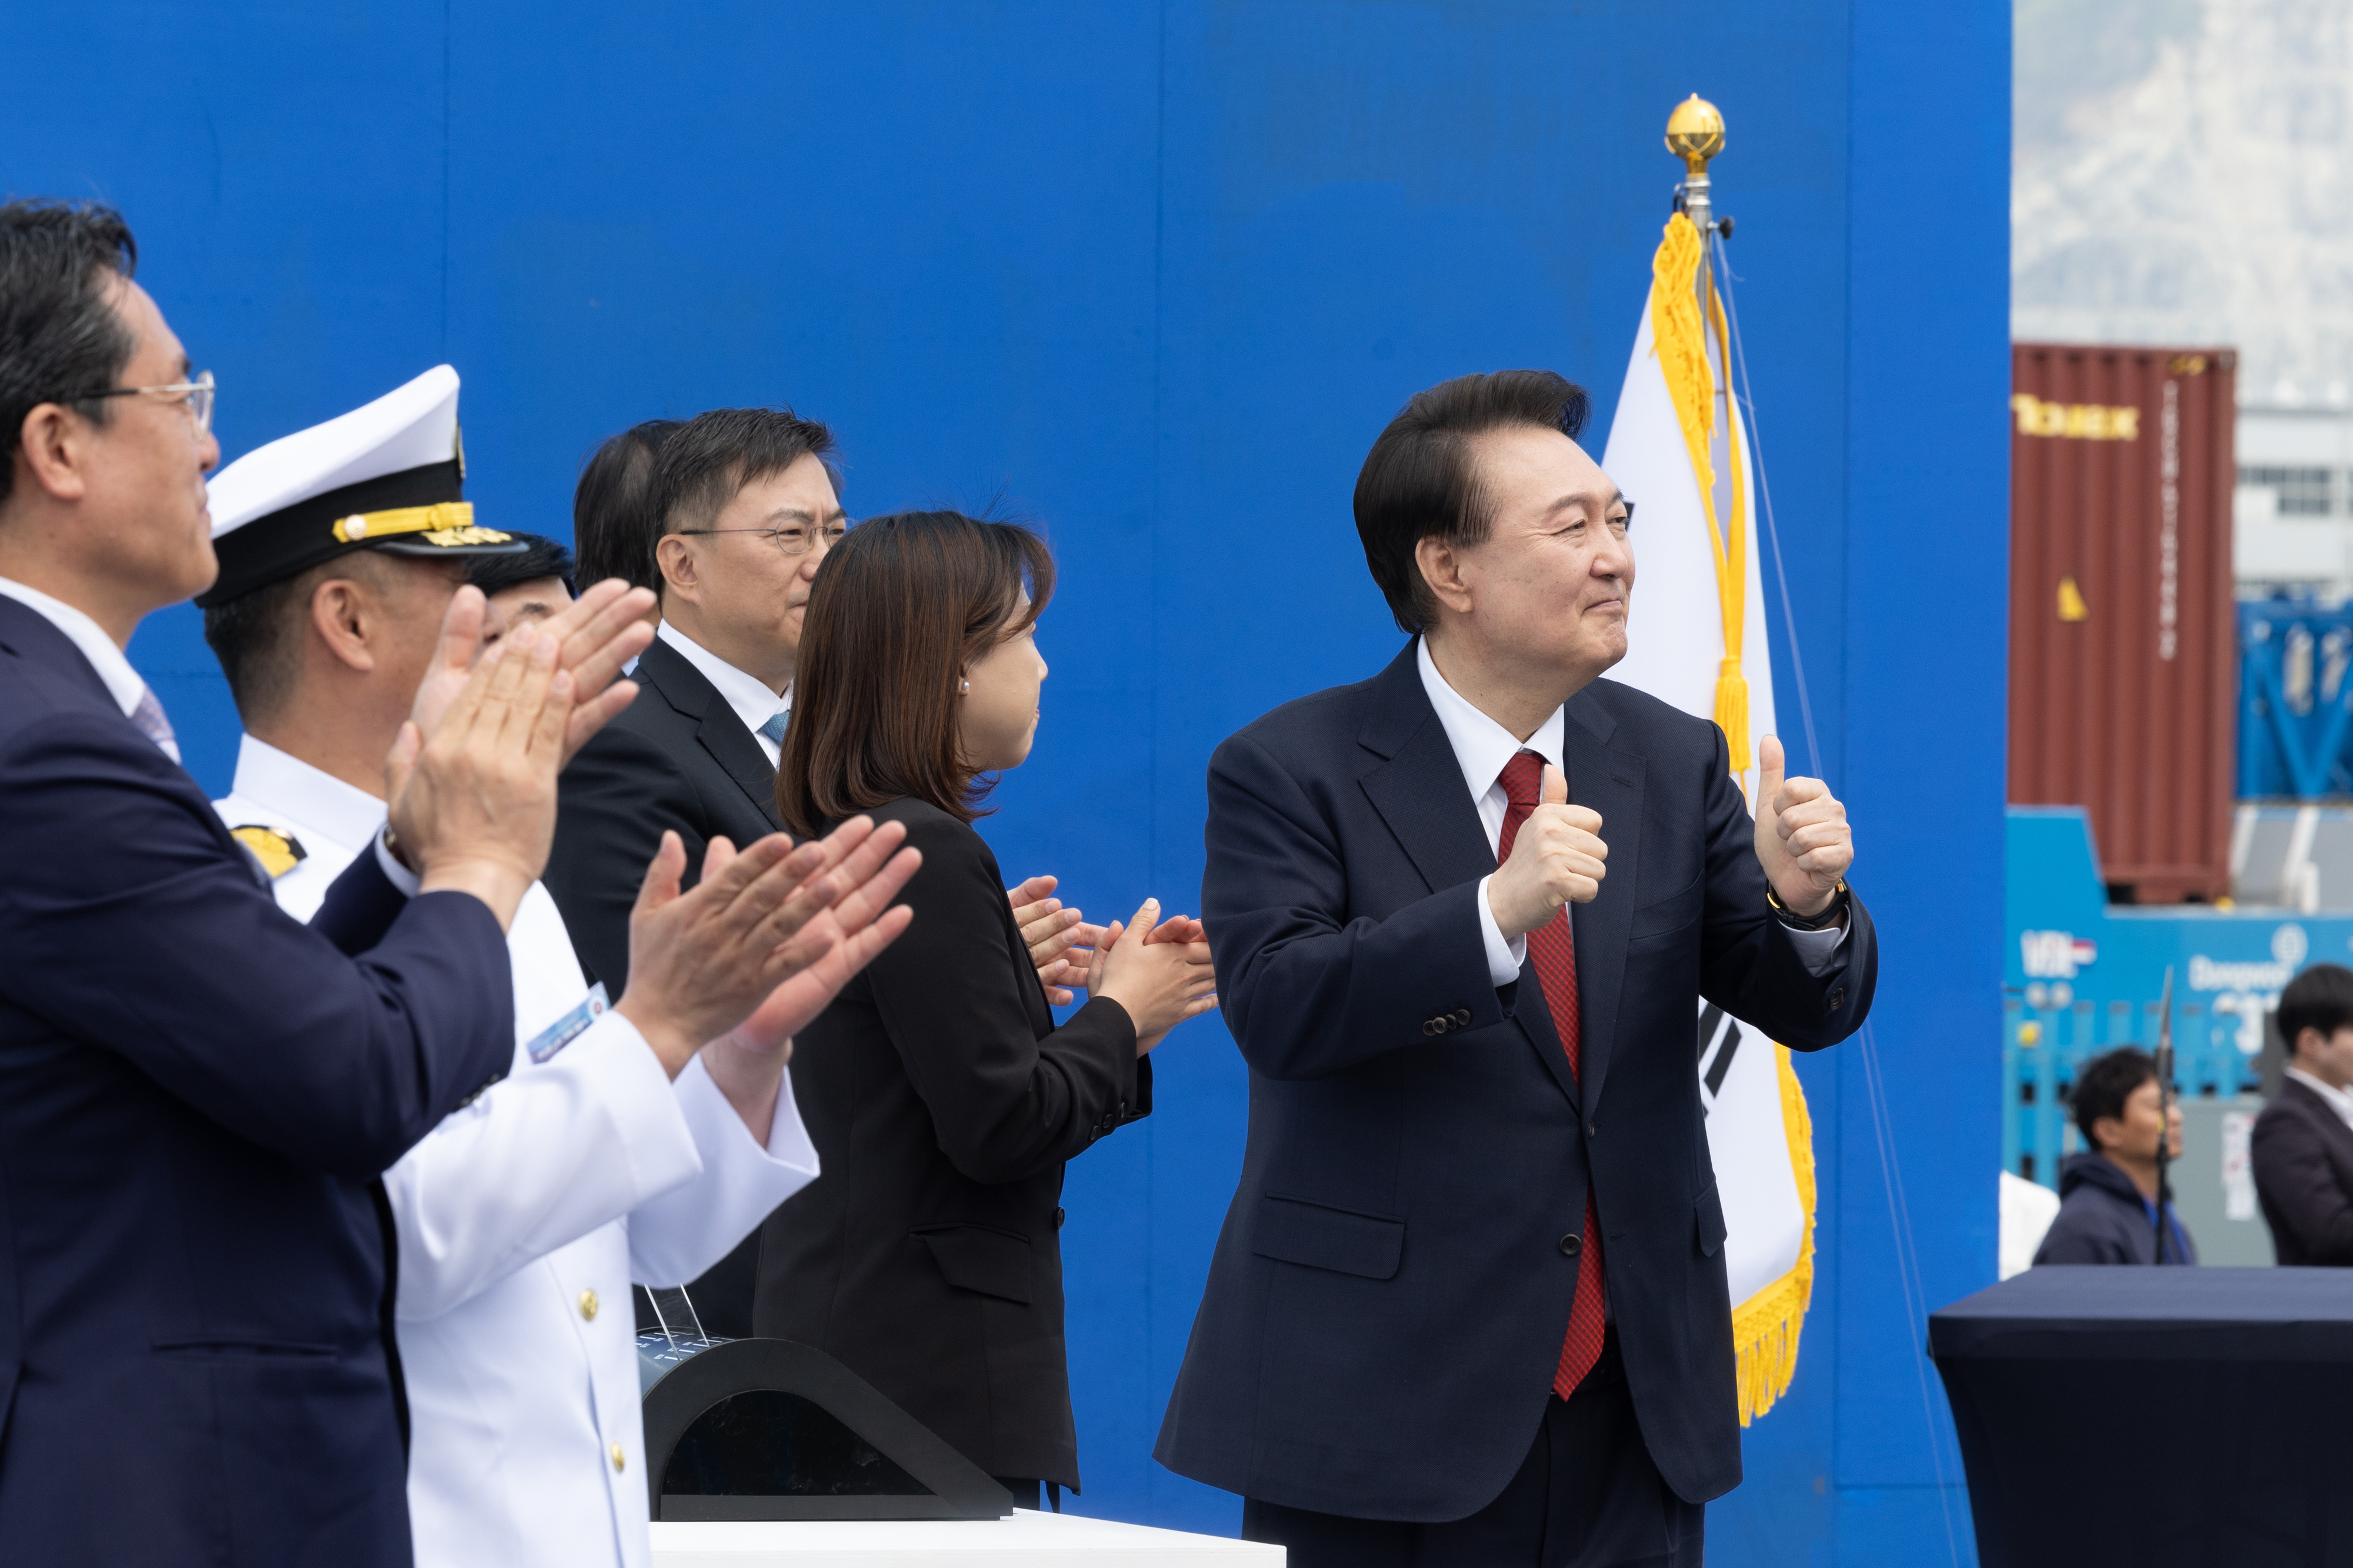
196 1096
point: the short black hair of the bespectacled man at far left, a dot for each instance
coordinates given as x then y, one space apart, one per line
60 333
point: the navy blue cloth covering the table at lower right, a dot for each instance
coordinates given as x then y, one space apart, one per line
2157 1418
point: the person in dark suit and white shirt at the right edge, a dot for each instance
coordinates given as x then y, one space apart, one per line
2305 1136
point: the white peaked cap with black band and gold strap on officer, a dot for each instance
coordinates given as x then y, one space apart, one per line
382 477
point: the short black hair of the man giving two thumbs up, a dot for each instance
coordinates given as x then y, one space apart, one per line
1420 481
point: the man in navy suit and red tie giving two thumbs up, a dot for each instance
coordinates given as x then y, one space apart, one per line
1469 1303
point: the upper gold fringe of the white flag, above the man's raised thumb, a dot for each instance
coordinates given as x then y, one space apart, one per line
1681 340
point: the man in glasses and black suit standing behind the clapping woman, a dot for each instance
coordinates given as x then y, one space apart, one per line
747 505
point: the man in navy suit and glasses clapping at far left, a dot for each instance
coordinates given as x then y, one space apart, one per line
196 1094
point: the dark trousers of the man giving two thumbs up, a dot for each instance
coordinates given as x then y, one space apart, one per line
1587 1496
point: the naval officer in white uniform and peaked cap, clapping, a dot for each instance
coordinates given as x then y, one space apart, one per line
526 1216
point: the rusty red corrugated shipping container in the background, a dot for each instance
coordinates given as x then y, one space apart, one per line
2124 660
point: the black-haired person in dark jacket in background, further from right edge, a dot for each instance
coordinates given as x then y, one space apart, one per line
2109 1195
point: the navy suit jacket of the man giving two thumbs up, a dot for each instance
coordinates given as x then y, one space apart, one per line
1389 1291
